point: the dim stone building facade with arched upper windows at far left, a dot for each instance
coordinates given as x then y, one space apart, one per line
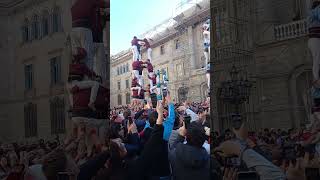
34 67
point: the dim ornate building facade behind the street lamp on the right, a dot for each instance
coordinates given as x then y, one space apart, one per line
268 41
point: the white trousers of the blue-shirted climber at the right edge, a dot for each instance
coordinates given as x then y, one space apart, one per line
314 46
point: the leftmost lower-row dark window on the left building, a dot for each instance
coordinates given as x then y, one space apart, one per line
30 120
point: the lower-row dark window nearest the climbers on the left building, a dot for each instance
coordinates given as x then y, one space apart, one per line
57 115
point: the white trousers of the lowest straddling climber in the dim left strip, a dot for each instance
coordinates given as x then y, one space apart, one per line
94 85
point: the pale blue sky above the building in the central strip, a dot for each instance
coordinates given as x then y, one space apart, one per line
134 17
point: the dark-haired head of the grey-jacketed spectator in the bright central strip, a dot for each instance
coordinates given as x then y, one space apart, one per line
196 135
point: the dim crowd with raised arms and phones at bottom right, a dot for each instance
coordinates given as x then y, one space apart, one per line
267 154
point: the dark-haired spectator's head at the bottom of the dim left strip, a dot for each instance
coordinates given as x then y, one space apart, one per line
54 163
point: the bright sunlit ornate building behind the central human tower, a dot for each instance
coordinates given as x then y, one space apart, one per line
177 48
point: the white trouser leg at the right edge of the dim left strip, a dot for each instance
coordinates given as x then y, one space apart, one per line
100 61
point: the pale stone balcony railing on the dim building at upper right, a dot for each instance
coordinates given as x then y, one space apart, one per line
291 30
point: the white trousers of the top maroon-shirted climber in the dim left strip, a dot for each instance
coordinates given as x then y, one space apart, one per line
82 38
